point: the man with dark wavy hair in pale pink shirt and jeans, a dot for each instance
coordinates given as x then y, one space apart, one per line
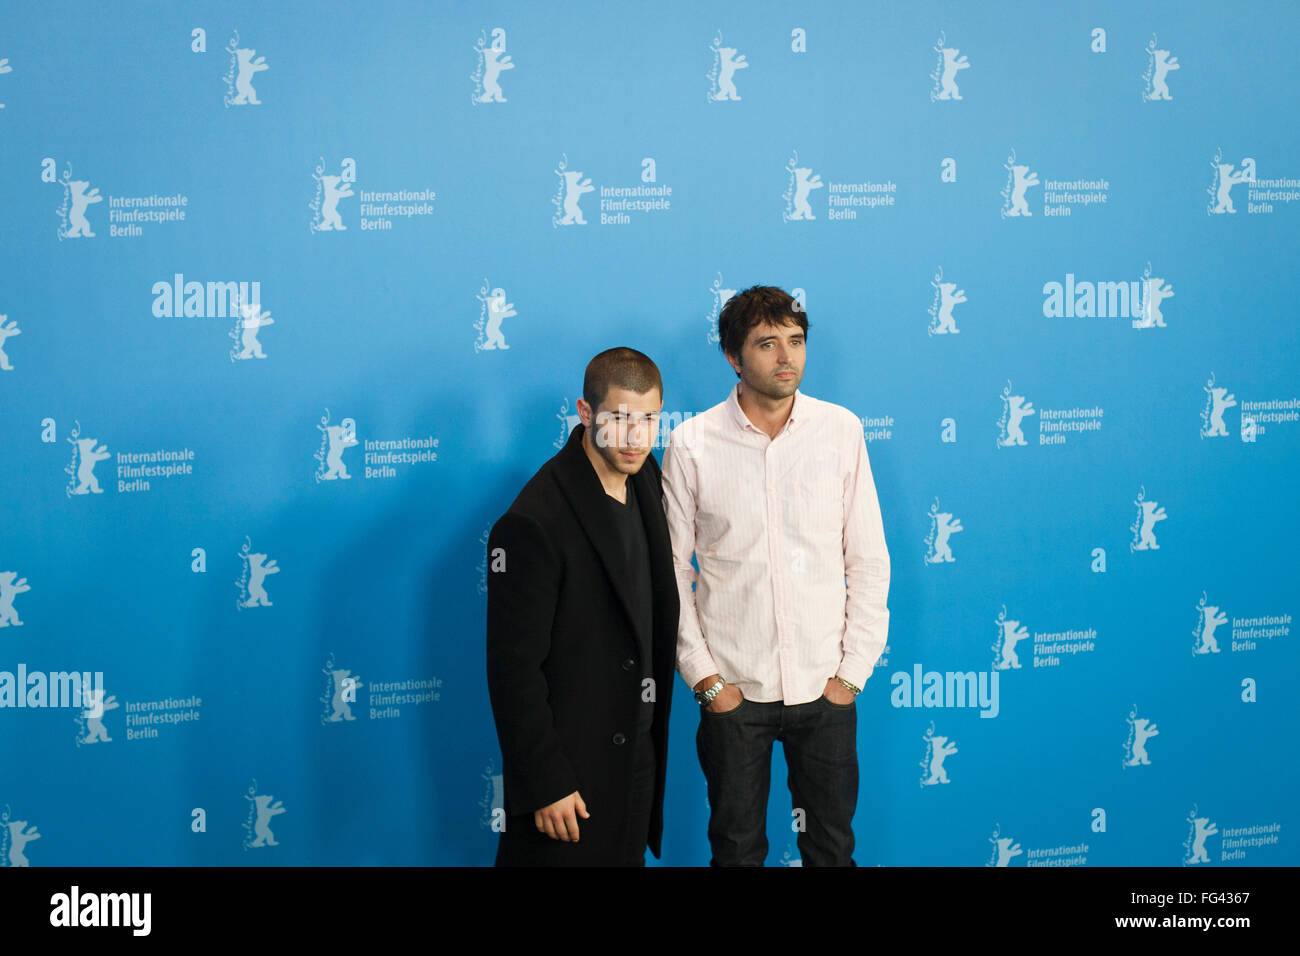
773 494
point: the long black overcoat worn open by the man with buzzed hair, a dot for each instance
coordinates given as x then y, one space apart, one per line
565 672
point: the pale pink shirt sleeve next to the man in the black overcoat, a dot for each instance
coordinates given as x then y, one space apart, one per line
695 663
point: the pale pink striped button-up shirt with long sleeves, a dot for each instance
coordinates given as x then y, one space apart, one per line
794 568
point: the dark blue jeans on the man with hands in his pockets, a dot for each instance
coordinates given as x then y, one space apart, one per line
821 746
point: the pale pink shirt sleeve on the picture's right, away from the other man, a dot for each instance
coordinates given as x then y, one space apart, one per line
866 569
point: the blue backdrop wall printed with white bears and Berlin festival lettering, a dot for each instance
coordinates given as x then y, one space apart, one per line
296 299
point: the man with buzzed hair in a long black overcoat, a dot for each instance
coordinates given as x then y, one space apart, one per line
583 633
